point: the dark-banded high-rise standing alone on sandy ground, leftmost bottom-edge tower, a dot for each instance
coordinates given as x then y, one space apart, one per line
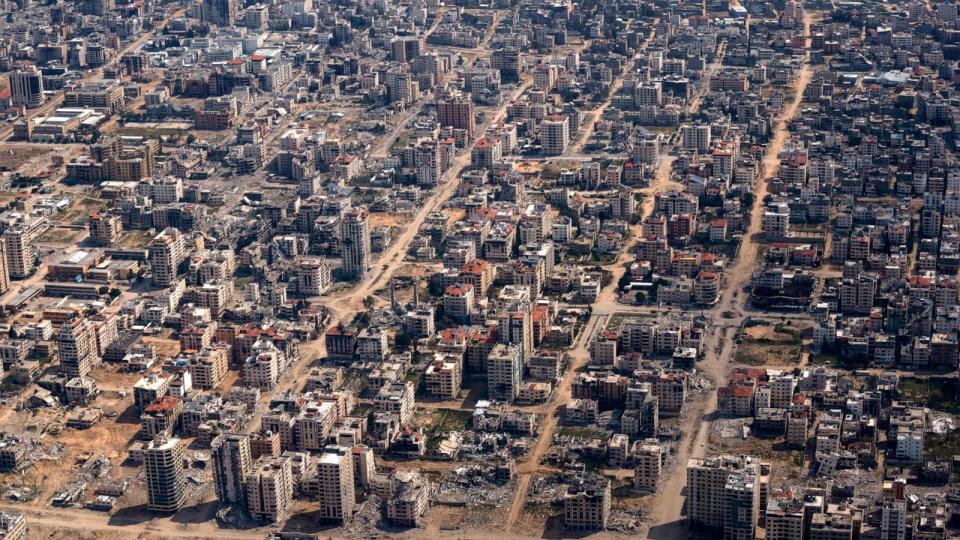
163 464
